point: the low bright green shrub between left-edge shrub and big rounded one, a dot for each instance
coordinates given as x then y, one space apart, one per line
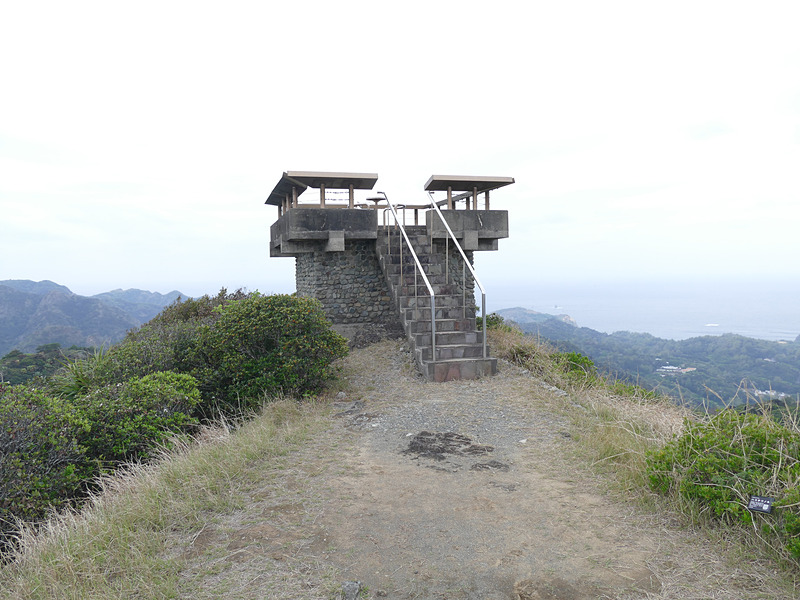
131 421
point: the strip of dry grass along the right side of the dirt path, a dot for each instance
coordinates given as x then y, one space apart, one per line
615 433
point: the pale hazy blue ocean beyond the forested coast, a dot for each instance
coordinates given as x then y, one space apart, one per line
768 310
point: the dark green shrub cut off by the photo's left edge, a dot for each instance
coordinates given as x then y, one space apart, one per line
41 462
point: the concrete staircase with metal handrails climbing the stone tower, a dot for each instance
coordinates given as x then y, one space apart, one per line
459 346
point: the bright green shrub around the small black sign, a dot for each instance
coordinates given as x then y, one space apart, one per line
720 462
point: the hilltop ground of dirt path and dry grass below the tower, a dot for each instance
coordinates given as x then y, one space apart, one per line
505 504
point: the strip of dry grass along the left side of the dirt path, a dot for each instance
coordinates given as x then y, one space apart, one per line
116 547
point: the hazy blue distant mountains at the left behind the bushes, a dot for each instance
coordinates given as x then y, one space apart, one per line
33 314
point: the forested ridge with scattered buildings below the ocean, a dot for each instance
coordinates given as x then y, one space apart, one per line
710 370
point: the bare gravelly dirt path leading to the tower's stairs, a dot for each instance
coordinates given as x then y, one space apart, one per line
463 490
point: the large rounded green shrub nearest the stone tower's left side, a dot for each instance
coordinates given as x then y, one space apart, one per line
266 345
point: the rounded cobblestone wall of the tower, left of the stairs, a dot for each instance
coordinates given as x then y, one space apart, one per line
349 285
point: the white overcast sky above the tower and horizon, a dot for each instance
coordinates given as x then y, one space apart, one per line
139 140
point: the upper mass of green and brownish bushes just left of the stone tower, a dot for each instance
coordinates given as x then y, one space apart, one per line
238 346
